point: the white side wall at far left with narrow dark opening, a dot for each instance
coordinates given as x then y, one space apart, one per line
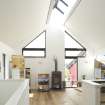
5 49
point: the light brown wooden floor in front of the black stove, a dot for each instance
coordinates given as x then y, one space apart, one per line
52 98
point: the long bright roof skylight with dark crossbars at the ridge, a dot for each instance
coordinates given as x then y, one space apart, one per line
61 10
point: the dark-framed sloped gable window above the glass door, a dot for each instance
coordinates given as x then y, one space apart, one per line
72 47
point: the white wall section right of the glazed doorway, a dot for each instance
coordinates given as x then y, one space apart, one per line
86 66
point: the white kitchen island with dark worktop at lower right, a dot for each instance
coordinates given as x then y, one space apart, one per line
93 92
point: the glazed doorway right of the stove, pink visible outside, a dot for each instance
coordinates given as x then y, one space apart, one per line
71 72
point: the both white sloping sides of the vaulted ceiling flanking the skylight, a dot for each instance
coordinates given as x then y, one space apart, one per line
22 20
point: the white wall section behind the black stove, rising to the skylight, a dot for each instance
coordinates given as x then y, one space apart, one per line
54 47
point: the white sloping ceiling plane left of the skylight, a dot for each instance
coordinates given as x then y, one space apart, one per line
22 20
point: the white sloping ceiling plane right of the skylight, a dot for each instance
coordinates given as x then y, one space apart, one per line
87 23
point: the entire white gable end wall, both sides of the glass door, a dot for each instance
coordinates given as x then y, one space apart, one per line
55 47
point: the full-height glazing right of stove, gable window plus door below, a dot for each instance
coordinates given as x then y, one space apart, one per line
73 50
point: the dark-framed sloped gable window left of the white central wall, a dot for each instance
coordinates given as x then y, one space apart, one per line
37 47
